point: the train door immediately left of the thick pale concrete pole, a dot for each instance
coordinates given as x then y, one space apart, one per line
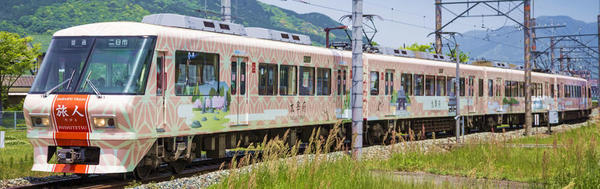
342 95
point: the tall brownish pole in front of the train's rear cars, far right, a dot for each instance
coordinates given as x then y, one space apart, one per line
527 53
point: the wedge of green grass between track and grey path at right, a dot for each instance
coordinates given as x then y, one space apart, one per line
575 159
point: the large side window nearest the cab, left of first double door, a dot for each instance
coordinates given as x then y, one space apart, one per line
196 73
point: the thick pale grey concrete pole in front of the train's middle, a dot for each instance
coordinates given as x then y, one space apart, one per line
357 80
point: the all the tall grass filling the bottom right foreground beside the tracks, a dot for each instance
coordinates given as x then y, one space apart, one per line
574 162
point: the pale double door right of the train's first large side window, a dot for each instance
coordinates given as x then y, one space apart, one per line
239 94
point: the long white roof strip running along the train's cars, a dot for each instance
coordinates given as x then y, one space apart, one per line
143 29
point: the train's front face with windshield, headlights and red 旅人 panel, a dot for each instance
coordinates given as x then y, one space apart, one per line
88 110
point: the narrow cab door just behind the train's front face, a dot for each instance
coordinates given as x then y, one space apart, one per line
161 86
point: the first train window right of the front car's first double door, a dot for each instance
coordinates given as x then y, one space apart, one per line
267 79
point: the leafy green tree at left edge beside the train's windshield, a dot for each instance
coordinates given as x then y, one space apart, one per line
16 58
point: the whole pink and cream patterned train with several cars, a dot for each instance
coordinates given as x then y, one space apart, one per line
128 97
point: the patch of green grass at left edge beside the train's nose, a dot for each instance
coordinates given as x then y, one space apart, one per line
16 158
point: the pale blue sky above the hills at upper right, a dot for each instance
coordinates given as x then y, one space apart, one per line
409 21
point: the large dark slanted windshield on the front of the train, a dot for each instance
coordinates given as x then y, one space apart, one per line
113 65
